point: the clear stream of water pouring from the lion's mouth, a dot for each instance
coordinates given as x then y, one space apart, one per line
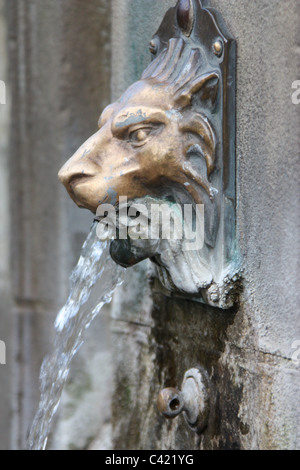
93 282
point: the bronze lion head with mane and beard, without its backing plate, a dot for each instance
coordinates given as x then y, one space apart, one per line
157 140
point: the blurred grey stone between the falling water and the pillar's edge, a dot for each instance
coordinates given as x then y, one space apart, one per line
85 413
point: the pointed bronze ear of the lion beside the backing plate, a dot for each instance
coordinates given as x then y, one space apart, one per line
204 86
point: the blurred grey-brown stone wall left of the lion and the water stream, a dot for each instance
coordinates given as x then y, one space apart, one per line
60 81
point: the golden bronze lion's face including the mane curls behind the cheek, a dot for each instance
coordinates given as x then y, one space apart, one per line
140 148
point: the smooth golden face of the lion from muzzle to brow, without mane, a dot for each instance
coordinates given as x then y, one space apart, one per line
136 146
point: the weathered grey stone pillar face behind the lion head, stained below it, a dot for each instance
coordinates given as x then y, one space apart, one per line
248 350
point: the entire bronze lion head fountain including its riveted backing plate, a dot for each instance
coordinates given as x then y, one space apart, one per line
171 138
